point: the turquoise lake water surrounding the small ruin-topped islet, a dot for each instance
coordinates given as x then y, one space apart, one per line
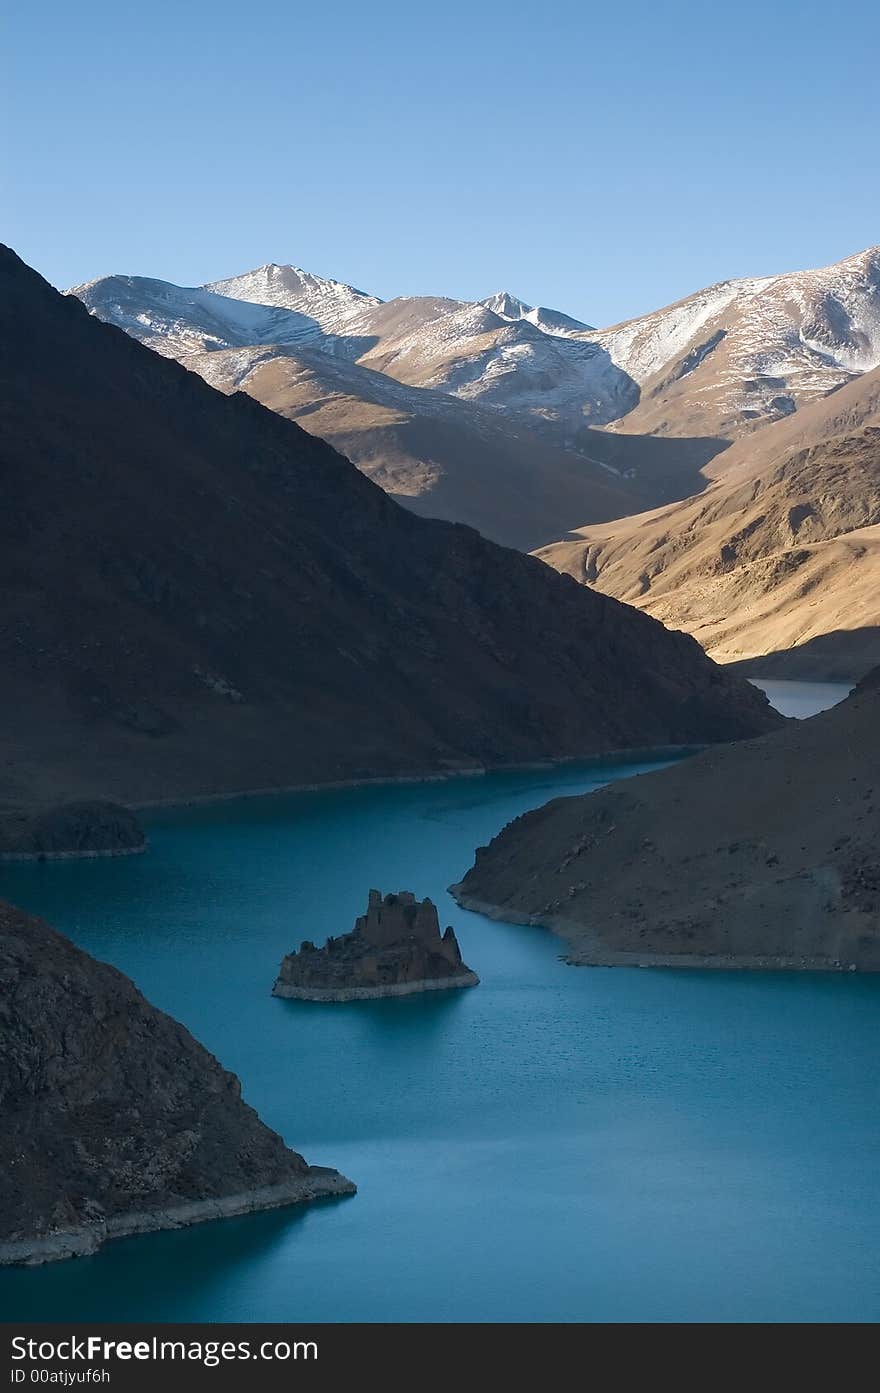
556 1144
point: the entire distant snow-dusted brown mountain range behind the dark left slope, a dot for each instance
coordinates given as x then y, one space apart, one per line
712 463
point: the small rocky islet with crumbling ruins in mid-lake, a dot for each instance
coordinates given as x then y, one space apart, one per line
396 949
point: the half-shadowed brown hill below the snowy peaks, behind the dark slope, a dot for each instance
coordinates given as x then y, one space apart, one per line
437 455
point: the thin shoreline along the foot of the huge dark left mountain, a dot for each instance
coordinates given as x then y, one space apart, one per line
612 757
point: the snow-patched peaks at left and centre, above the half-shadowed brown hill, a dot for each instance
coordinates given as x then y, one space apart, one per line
538 367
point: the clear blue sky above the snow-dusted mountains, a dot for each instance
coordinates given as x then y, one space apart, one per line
604 159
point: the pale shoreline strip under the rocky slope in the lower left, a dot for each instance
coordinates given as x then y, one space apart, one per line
320 1183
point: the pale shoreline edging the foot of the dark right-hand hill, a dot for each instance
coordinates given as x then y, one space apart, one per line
608 958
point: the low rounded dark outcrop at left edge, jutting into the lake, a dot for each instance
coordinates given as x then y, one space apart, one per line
73 830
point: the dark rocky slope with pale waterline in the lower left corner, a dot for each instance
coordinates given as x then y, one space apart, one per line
115 1119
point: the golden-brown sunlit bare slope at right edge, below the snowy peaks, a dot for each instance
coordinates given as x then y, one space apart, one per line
780 557
